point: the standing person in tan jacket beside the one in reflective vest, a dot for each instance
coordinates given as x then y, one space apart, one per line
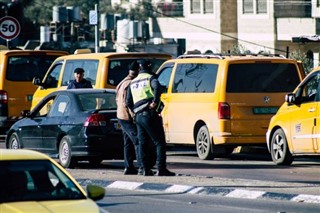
125 119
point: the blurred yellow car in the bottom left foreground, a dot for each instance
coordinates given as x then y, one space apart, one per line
33 182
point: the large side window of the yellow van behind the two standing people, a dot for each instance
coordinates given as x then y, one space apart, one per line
195 78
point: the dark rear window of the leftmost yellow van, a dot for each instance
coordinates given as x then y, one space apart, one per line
26 67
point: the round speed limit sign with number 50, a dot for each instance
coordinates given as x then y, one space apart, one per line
9 27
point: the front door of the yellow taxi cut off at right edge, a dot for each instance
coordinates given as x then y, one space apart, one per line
304 127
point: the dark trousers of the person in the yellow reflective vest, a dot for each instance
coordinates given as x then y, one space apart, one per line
149 125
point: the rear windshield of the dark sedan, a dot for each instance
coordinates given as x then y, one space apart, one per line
93 101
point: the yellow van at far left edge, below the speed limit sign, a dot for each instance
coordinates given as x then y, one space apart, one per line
17 70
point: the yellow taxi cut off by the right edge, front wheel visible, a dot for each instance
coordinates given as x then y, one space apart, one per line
295 130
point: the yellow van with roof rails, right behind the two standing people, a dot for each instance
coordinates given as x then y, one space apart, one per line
220 102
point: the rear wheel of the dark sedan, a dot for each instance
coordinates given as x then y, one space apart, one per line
65 156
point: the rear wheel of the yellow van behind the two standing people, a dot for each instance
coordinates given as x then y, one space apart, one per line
203 144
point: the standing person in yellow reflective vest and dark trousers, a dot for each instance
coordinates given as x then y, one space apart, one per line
143 98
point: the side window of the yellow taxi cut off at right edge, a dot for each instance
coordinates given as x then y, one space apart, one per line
309 91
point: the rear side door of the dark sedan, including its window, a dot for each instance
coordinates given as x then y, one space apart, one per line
51 126
